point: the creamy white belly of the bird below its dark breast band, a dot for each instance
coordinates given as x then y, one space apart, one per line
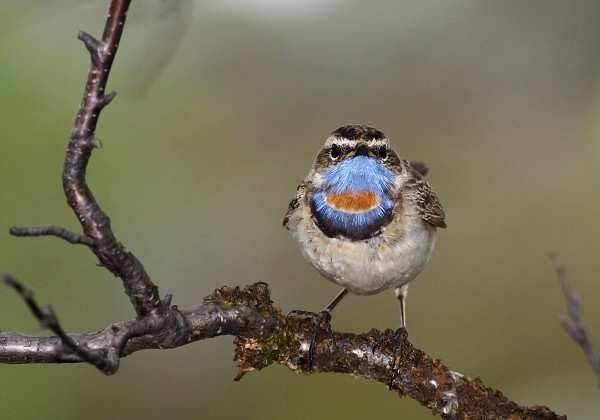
368 267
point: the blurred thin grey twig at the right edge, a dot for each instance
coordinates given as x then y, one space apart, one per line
573 323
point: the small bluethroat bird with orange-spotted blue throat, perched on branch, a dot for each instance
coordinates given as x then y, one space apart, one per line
365 218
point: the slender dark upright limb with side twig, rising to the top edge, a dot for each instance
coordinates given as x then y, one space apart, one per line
97 231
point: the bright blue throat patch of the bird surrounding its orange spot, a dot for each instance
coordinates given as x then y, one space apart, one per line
358 175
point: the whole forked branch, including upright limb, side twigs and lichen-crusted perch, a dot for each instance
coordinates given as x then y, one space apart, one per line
263 334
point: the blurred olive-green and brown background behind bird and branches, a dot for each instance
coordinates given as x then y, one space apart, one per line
222 106
